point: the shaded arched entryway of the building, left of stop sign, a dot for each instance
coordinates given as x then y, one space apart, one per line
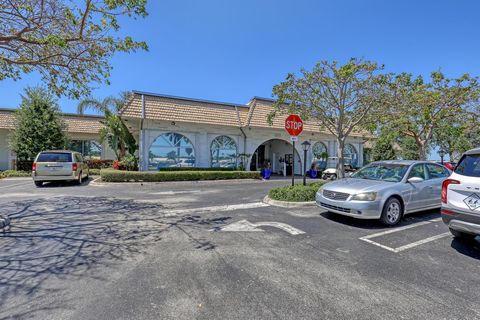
276 153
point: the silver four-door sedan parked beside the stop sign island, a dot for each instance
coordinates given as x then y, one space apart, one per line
385 190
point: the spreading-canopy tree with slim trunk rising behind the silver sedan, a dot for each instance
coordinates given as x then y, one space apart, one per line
340 98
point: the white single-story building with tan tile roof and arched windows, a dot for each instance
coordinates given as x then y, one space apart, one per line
183 132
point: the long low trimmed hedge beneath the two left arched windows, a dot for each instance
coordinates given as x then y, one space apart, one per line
109 175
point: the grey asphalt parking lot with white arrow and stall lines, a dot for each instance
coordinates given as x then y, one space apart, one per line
214 250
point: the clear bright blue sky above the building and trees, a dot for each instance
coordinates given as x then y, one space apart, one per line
234 50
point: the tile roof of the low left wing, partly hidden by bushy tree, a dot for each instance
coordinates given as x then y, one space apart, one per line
75 123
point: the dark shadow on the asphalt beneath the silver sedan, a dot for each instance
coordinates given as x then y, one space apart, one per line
376 224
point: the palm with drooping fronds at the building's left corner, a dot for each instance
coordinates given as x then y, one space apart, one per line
115 132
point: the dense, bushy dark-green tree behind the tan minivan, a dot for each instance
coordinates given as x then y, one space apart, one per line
39 125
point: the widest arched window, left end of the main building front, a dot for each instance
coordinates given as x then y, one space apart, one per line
171 150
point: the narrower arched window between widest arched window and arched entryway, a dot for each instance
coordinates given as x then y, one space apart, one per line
223 152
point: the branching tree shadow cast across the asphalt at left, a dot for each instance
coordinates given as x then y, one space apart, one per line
55 241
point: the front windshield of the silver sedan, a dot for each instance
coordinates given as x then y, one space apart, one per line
382 172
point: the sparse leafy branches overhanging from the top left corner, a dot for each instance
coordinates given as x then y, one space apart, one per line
68 42
